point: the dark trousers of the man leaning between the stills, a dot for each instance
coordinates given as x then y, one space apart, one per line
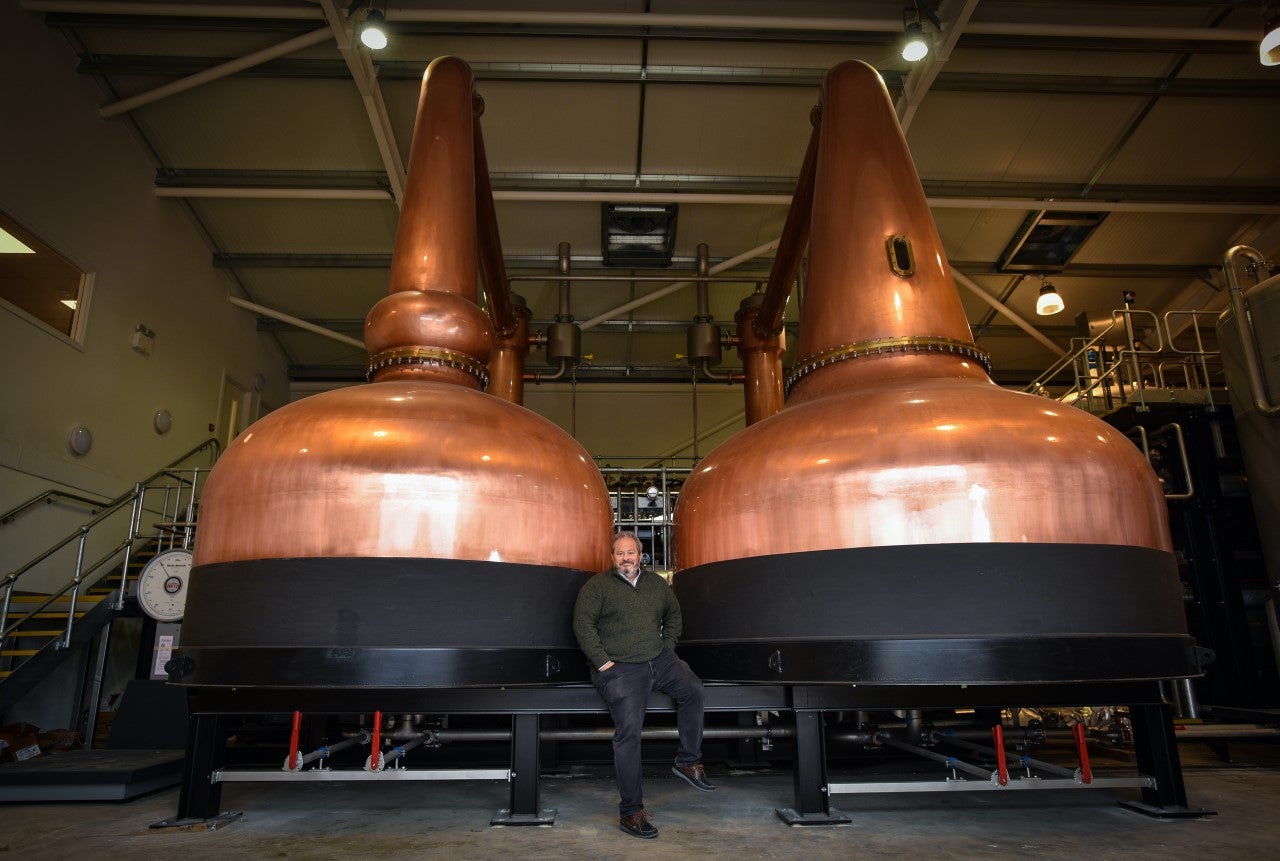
625 688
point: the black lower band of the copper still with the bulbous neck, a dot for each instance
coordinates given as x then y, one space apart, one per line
380 624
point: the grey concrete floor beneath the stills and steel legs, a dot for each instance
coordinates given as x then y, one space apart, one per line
415 821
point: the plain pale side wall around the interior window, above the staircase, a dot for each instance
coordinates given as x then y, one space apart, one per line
85 186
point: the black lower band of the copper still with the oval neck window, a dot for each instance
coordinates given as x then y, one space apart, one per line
939 615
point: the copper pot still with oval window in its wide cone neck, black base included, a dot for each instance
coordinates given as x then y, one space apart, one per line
904 520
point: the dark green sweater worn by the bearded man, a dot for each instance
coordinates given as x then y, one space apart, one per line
616 621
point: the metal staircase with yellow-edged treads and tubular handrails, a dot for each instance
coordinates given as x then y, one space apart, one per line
95 569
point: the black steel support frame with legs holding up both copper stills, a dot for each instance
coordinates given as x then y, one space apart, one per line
200 798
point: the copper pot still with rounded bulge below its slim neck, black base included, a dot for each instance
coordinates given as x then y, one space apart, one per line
414 532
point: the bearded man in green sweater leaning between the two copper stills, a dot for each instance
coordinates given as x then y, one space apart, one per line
628 624
